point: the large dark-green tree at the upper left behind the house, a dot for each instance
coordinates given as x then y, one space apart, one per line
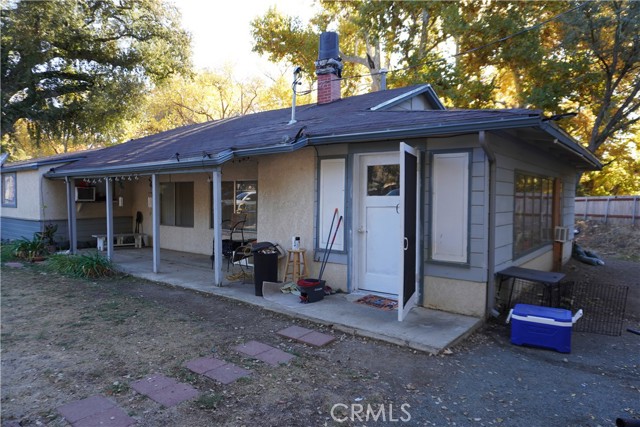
72 70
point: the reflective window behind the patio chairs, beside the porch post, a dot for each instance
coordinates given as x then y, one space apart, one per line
240 197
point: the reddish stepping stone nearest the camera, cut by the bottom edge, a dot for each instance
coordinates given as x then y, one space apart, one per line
95 411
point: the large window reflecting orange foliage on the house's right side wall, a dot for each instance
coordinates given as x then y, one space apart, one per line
532 212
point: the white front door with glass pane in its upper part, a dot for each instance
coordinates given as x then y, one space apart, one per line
378 223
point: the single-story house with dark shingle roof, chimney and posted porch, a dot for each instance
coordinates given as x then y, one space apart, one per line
434 201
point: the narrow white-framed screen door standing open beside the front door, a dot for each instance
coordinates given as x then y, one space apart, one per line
409 187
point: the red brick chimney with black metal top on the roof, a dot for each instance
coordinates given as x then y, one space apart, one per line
328 68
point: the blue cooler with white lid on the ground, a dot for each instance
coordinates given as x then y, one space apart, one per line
545 327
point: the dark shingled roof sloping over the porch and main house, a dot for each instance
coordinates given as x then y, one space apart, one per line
351 119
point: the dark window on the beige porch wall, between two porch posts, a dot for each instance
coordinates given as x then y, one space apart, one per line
176 204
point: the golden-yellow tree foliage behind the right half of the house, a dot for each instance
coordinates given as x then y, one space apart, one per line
554 56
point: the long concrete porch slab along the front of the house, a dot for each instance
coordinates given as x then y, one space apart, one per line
423 329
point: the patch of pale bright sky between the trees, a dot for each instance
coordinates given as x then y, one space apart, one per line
221 31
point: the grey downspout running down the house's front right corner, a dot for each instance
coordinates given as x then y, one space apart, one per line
491 232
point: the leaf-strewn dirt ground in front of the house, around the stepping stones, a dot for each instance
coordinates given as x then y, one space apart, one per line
67 339
